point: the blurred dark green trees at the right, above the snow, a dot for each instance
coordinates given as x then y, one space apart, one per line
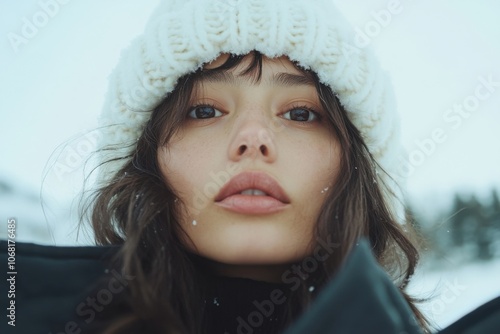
468 230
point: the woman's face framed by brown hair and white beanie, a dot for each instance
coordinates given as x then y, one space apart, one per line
252 164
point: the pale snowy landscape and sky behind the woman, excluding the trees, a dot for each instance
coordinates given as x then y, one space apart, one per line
54 76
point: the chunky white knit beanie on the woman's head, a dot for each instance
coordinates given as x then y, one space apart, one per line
182 35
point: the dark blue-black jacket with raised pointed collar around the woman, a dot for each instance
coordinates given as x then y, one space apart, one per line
52 290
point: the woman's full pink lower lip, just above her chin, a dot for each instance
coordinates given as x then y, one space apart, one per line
248 204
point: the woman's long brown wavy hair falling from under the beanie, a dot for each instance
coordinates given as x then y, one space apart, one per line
137 211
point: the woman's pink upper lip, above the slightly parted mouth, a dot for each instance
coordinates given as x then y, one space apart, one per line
252 180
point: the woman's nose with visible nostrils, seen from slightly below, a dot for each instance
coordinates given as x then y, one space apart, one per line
254 140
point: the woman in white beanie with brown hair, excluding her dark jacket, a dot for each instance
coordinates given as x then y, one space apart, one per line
238 138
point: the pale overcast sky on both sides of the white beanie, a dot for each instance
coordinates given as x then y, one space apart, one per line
438 52
